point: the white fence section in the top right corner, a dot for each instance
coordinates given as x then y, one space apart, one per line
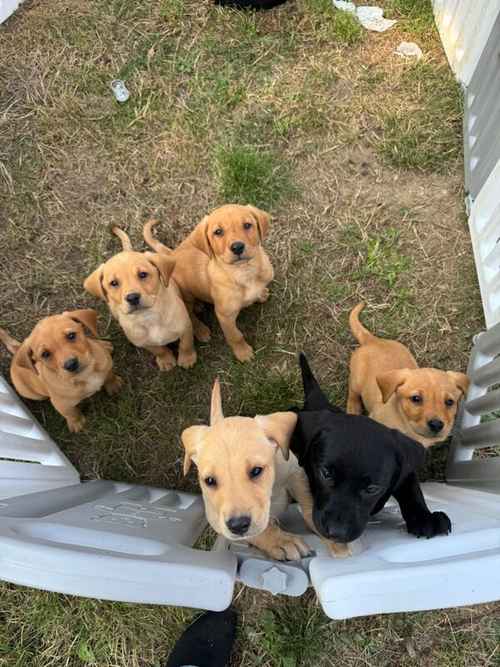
464 27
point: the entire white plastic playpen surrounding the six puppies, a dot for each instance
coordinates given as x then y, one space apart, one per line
126 542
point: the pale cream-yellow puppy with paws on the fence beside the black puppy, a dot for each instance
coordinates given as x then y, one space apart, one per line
247 476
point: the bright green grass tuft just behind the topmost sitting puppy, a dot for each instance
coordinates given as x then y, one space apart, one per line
246 174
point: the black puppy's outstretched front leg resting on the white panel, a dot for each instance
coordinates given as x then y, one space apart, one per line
420 521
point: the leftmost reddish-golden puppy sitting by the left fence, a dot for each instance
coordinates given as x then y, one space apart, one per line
59 361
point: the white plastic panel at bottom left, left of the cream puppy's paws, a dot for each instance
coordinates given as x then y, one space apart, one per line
114 542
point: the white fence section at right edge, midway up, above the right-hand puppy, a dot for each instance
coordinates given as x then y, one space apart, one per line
484 225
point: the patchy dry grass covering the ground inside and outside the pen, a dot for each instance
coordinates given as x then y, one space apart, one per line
355 152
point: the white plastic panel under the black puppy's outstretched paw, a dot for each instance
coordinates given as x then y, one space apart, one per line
396 572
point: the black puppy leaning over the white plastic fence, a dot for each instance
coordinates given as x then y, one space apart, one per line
354 464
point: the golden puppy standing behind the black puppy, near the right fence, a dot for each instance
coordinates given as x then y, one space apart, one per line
385 379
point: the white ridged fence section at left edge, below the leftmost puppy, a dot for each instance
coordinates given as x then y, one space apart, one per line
29 459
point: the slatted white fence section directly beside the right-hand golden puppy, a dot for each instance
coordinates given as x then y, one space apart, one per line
478 425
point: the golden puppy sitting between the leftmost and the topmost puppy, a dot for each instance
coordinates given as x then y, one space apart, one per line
146 301
